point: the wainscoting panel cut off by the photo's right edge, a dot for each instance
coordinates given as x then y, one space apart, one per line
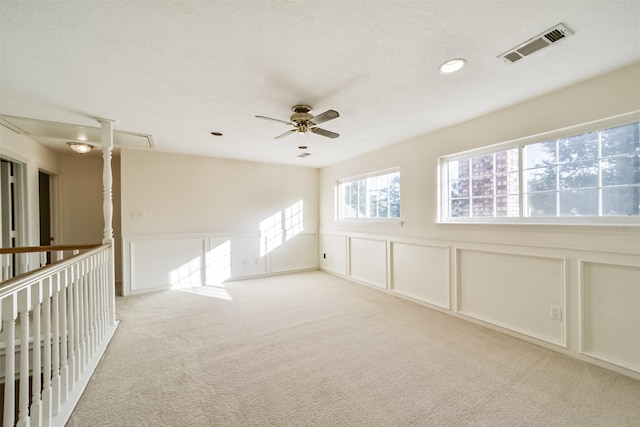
611 313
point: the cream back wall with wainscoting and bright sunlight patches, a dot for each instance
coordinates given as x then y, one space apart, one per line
190 220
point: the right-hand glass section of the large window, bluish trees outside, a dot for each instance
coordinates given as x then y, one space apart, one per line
593 174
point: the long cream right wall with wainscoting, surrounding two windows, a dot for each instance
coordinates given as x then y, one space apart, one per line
504 276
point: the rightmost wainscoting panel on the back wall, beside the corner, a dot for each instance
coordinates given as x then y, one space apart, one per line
298 253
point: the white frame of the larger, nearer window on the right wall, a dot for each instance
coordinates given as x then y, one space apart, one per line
443 175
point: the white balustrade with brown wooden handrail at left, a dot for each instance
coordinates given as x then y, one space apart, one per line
56 325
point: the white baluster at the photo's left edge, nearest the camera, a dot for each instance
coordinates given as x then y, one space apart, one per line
9 314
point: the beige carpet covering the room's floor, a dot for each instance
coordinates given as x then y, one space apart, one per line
311 349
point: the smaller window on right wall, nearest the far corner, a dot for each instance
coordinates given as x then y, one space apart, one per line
375 196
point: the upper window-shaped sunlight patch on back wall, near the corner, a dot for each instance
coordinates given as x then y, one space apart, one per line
272 232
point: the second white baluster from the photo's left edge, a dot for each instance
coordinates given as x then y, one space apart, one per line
24 305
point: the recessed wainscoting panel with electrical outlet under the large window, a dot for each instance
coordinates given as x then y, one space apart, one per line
513 291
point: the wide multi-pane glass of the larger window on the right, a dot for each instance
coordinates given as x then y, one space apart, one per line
592 174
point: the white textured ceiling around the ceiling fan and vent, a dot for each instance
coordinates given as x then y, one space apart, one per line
177 70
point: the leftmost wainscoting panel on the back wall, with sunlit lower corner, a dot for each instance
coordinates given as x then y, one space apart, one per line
157 264
